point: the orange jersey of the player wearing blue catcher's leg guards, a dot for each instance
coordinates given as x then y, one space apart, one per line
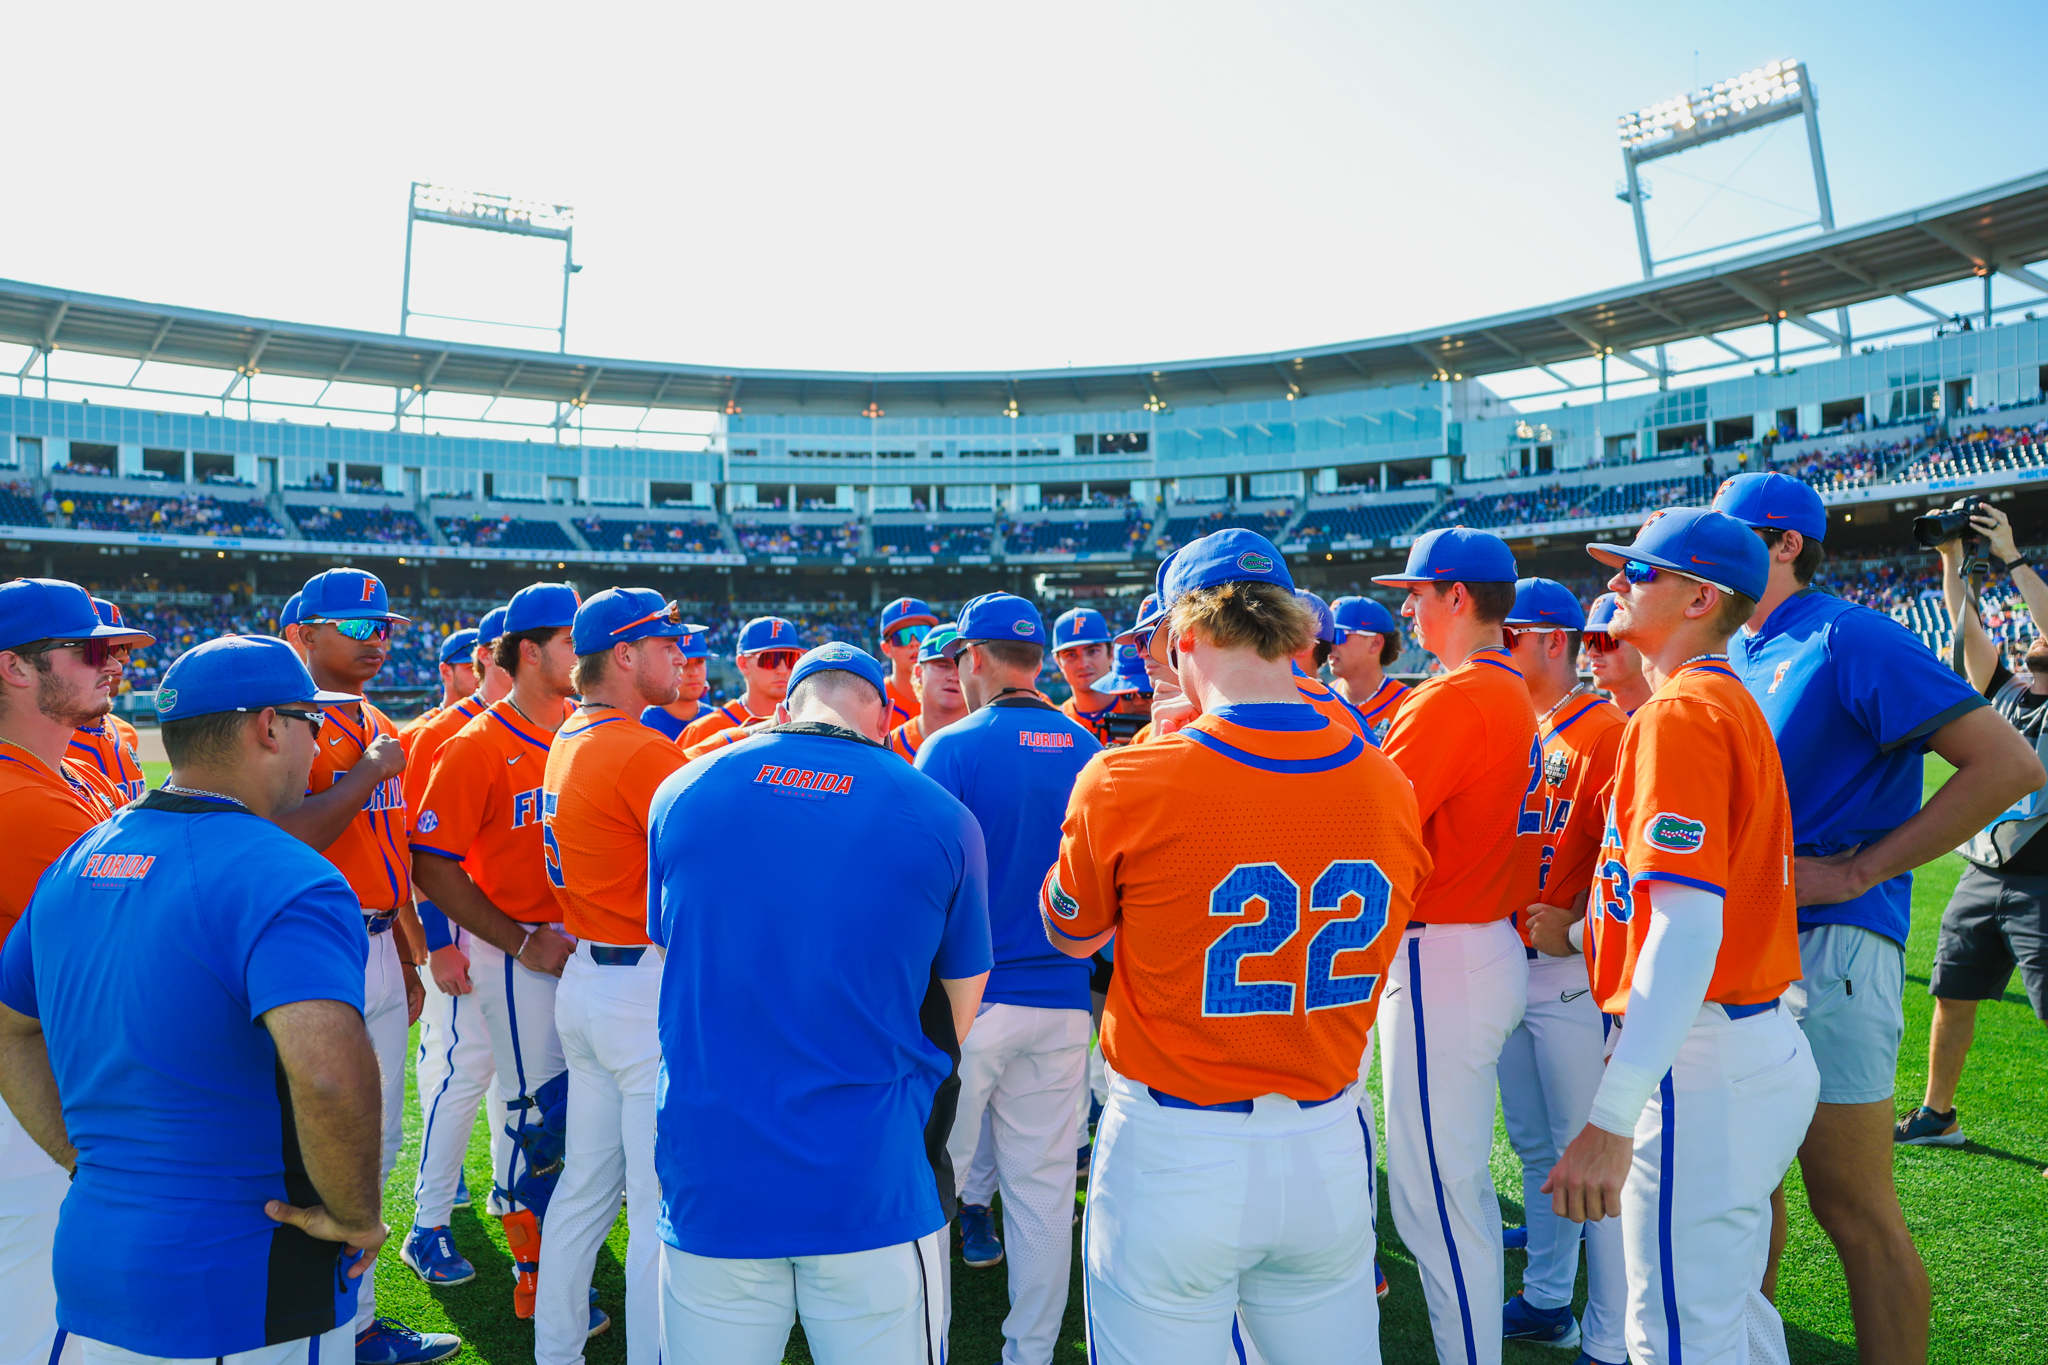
482 807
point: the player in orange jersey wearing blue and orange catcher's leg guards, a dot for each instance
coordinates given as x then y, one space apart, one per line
478 856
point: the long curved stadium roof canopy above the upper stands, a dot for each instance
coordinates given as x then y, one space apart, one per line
2002 228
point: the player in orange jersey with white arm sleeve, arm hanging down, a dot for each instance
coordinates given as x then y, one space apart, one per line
1693 938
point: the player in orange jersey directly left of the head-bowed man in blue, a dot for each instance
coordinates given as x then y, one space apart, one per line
601 779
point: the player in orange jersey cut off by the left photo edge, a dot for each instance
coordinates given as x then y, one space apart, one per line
58 672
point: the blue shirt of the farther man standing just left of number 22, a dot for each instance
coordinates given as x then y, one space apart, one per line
1015 764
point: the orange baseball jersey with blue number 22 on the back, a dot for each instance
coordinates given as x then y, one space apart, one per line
1258 877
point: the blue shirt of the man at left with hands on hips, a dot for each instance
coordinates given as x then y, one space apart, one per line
151 953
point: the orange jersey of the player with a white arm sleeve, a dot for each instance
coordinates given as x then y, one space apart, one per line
1699 799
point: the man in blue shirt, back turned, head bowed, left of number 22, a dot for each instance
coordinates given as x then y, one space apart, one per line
808 887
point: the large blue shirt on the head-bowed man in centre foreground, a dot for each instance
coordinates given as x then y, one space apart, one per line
808 887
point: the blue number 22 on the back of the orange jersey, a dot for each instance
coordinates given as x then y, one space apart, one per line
1357 893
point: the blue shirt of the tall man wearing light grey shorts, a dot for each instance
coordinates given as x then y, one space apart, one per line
1852 699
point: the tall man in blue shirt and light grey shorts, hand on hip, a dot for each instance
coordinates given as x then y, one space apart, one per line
1854 703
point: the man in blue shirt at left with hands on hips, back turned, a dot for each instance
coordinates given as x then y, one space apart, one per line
181 1024
